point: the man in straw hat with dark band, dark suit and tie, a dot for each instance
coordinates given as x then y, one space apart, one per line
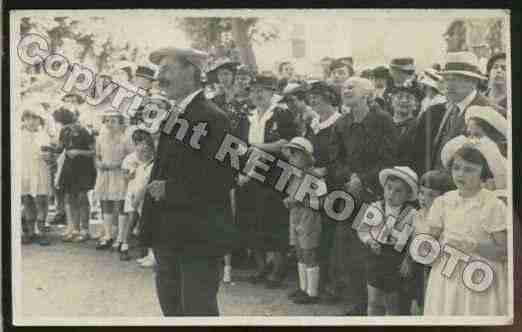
440 123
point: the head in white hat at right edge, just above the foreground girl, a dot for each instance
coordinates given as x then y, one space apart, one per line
484 121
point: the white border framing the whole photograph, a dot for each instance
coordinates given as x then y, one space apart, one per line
419 14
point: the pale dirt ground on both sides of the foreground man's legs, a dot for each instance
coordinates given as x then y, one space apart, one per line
76 281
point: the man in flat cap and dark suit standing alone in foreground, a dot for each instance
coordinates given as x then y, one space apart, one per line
187 214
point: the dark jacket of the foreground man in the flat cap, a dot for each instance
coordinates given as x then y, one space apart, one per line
195 216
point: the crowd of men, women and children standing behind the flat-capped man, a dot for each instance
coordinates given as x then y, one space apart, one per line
427 146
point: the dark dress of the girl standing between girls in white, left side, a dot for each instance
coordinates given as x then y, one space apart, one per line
78 174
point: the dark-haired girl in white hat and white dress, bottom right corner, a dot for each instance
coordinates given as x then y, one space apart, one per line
472 220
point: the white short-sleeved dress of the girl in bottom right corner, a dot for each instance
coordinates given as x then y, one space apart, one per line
475 218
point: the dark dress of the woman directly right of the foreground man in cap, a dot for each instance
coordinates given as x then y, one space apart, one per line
261 213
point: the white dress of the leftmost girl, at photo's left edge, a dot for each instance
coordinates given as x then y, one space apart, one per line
36 175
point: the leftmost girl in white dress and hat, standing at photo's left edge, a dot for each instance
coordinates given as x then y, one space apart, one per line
35 172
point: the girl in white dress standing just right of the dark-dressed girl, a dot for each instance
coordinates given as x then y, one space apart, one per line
112 147
